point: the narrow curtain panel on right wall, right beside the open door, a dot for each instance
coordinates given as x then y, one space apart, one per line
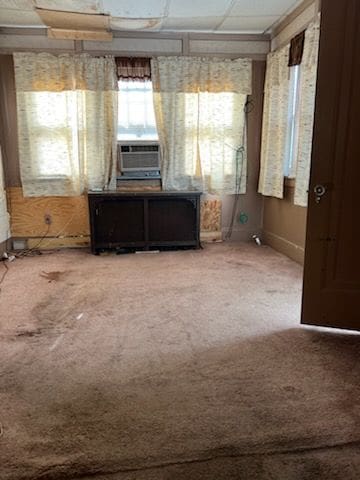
307 106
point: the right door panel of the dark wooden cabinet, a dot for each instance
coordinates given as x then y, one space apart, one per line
172 220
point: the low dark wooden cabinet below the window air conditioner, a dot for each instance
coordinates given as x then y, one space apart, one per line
144 220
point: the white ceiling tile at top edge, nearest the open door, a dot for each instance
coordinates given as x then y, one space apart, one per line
261 7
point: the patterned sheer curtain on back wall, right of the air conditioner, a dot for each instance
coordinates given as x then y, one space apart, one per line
199 109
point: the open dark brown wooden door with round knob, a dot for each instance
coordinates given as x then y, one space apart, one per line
331 295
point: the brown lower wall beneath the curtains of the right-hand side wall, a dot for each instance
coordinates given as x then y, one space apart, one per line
284 225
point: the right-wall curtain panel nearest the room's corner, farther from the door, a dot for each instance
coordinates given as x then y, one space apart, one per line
275 122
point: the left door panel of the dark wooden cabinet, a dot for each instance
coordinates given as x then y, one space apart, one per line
119 221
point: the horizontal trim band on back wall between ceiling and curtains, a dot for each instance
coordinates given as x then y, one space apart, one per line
229 45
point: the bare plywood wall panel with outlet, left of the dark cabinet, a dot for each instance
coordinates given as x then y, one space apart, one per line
69 215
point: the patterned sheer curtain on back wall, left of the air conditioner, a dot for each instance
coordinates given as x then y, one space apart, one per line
67 121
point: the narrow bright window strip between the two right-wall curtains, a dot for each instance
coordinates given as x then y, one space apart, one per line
292 134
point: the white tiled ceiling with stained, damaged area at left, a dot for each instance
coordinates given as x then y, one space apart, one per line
212 16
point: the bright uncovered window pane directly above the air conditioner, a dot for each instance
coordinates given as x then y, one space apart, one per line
136 118
